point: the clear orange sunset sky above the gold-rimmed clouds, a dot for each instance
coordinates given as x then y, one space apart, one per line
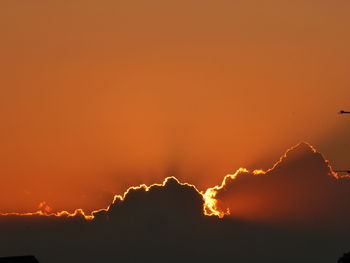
96 96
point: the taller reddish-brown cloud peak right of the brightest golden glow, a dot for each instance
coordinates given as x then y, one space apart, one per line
300 189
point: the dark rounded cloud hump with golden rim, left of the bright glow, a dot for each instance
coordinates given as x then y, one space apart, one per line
171 200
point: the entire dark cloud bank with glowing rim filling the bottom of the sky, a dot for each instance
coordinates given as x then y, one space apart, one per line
294 212
